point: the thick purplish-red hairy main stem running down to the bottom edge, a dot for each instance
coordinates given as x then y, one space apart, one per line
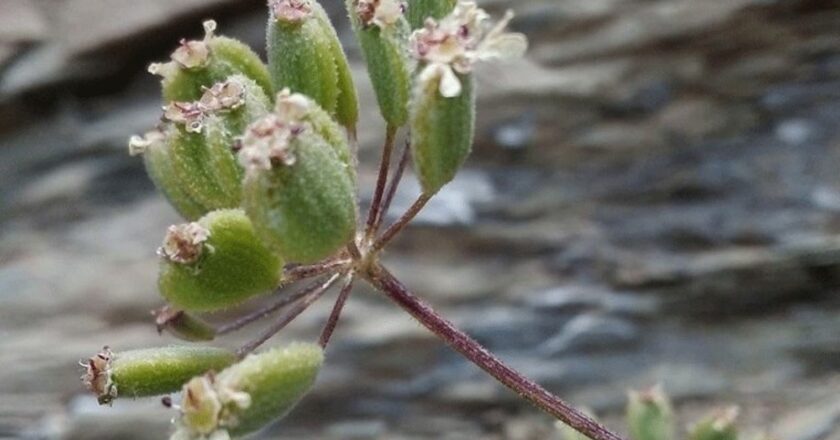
477 354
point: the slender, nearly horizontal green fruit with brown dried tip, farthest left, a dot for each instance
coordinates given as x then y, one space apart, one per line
149 372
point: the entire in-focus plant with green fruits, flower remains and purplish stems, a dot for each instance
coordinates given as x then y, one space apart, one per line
260 159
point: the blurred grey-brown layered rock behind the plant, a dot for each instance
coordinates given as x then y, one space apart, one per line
654 197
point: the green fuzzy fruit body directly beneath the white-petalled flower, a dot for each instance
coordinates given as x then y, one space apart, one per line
442 132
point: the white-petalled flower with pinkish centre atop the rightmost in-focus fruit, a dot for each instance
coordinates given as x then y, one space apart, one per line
460 40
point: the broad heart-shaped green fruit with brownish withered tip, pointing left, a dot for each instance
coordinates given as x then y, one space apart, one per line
215 263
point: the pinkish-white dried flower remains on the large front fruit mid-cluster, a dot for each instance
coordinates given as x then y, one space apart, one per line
266 142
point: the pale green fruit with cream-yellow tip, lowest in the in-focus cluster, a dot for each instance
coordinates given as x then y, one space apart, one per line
248 395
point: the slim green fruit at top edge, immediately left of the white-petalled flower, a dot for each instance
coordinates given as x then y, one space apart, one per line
383 33
